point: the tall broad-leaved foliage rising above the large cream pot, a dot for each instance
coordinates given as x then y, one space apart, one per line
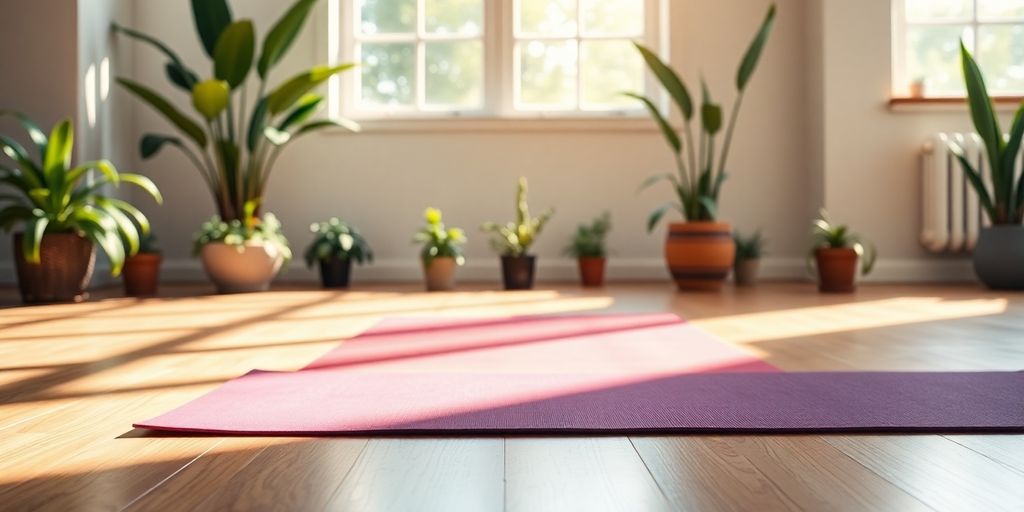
234 148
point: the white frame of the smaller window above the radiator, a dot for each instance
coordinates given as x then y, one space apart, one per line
902 81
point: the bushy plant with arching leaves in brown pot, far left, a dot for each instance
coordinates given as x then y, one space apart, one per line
63 216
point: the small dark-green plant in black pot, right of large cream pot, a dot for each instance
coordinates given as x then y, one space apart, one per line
335 246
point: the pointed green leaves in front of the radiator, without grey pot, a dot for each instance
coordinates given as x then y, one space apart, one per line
1004 199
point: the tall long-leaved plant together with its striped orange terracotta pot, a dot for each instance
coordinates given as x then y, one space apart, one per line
700 252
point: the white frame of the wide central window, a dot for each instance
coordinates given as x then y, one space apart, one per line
499 75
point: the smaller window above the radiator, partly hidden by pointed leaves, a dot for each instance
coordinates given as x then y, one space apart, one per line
927 36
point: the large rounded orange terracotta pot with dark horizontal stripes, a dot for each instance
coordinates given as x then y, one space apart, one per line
700 255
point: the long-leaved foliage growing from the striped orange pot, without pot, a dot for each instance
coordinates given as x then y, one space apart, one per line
702 167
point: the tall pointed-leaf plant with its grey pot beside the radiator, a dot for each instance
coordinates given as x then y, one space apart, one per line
1001 247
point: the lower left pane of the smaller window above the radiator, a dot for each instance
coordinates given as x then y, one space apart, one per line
933 55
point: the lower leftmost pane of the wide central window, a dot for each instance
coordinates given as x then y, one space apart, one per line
389 74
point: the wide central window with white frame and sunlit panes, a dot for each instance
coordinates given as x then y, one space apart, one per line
491 58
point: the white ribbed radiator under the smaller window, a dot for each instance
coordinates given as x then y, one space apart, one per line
951 214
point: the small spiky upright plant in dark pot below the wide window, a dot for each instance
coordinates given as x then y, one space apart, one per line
514 241
